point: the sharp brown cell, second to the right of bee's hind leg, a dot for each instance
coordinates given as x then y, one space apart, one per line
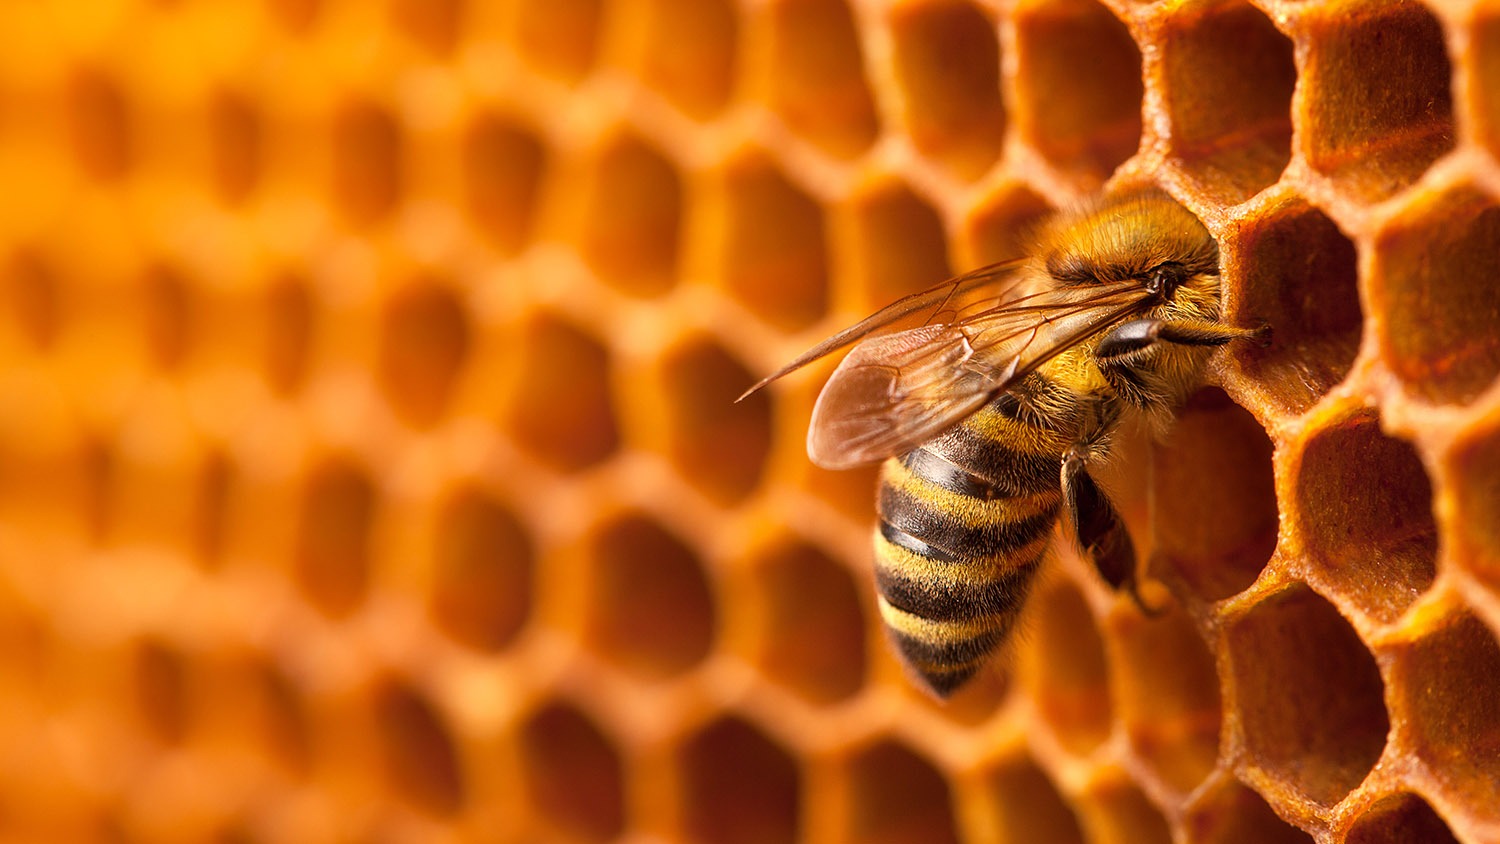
1364 509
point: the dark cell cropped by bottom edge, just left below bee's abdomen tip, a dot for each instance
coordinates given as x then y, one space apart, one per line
896 795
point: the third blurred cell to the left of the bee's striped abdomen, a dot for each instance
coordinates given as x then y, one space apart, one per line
482 576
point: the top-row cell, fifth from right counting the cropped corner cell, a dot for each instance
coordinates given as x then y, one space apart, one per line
947 67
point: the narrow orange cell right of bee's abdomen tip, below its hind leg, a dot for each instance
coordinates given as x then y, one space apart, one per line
1067 668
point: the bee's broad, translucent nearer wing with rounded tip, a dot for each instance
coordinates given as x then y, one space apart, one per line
896 392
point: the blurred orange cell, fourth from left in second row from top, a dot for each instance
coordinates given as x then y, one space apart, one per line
503 166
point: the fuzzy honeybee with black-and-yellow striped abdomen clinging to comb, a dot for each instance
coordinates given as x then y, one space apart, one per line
995 404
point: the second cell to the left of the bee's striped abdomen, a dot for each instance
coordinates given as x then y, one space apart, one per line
650 606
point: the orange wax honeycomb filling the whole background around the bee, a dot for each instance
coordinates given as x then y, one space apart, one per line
370 465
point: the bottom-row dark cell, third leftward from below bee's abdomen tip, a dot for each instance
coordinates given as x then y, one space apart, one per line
574 773
